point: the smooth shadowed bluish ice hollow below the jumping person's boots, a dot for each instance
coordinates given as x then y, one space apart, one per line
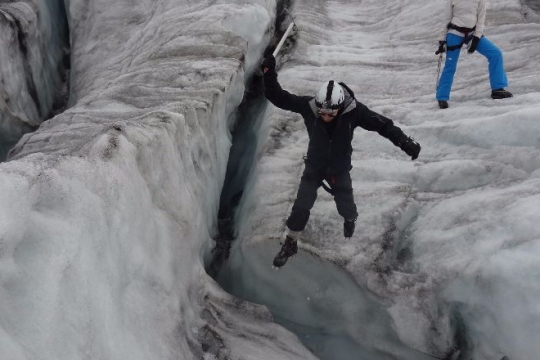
318 301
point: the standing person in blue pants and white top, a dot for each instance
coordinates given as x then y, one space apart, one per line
466 26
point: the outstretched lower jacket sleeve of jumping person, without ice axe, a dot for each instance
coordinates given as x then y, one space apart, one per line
371 121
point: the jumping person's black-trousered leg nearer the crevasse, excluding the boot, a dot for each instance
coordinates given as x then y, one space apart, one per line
305 198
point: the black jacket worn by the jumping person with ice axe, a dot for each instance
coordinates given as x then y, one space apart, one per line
330 154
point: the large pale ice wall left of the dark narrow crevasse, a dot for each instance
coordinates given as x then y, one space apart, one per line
106 208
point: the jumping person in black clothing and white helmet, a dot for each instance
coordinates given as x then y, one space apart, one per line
330 117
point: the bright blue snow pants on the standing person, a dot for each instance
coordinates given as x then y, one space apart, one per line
497 75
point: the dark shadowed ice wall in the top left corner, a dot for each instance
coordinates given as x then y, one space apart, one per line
33 64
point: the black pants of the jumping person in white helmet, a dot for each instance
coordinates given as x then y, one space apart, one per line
307 194
